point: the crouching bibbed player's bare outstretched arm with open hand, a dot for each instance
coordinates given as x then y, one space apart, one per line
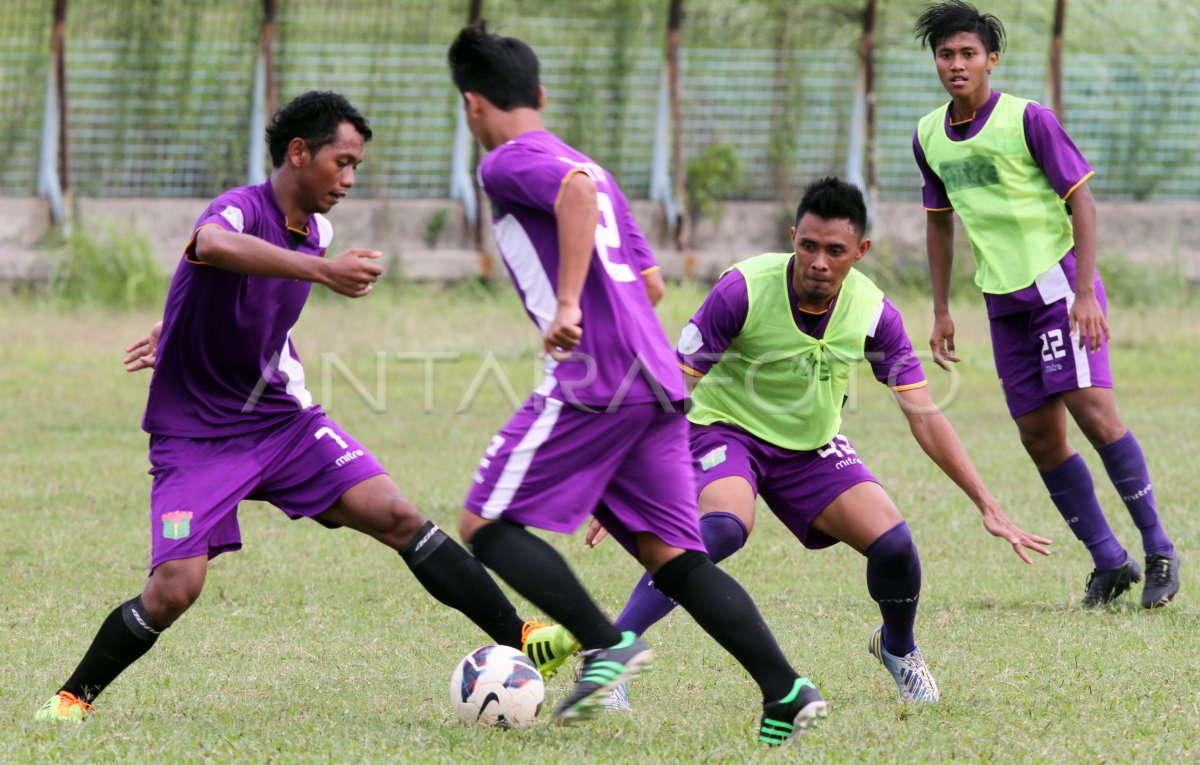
938 438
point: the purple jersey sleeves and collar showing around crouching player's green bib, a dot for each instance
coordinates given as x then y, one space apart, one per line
724 314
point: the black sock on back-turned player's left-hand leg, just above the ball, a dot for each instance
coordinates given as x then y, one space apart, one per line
533 569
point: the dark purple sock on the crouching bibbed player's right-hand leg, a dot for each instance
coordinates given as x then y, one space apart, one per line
893 579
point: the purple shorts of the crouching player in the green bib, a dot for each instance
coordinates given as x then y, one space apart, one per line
796 486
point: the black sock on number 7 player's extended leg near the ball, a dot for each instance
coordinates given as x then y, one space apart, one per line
451 575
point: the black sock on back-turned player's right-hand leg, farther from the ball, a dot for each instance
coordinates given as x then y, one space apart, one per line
725 612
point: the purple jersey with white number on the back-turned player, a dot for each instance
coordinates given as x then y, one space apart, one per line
625 356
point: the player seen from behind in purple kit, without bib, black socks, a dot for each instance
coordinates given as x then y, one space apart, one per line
605 430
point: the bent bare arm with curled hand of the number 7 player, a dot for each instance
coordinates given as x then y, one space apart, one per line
352 274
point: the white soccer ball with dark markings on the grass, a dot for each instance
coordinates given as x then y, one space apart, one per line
497 685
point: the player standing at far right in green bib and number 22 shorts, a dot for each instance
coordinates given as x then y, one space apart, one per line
1019 186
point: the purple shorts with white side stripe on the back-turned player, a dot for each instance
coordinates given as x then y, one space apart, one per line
553 466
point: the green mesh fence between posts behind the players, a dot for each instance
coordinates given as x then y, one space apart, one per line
161 93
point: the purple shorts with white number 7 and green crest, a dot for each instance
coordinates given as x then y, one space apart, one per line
302 467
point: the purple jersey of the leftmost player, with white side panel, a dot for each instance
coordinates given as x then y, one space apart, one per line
226 362
